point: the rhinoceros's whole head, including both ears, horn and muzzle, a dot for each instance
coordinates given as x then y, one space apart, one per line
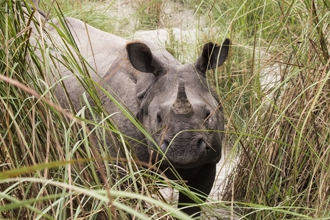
178 107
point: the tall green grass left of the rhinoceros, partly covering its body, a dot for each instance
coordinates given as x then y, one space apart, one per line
51 168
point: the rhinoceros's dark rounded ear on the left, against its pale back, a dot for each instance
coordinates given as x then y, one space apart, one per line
141 58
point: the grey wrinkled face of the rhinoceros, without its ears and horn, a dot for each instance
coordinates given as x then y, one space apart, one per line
185 137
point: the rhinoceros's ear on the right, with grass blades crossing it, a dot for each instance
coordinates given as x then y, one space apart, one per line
212 56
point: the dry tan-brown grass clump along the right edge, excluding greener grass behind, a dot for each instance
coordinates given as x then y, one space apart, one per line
283 162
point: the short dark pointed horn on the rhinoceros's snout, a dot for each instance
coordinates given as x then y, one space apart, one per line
181 105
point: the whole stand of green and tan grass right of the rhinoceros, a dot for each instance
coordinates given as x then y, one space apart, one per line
283 130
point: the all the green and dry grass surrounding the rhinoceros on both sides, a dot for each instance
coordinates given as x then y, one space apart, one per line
275 91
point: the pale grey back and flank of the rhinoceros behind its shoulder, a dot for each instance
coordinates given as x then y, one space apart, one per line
98 48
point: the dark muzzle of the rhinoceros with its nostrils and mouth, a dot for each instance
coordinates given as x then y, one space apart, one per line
184 156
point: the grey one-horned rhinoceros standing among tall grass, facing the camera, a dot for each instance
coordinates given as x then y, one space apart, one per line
174 102
